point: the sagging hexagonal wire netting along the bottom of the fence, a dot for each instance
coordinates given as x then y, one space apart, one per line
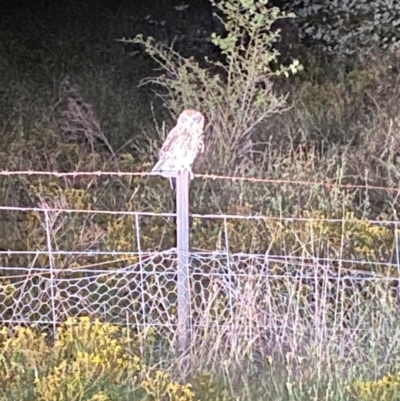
264 298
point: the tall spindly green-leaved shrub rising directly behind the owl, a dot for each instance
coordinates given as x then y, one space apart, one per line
236 94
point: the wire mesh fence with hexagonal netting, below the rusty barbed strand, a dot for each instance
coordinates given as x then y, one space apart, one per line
276 297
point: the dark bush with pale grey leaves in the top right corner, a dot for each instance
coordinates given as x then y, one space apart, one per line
346 27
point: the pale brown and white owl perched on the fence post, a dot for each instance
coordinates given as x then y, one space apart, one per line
181 145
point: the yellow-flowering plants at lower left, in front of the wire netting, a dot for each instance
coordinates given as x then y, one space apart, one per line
88 361
